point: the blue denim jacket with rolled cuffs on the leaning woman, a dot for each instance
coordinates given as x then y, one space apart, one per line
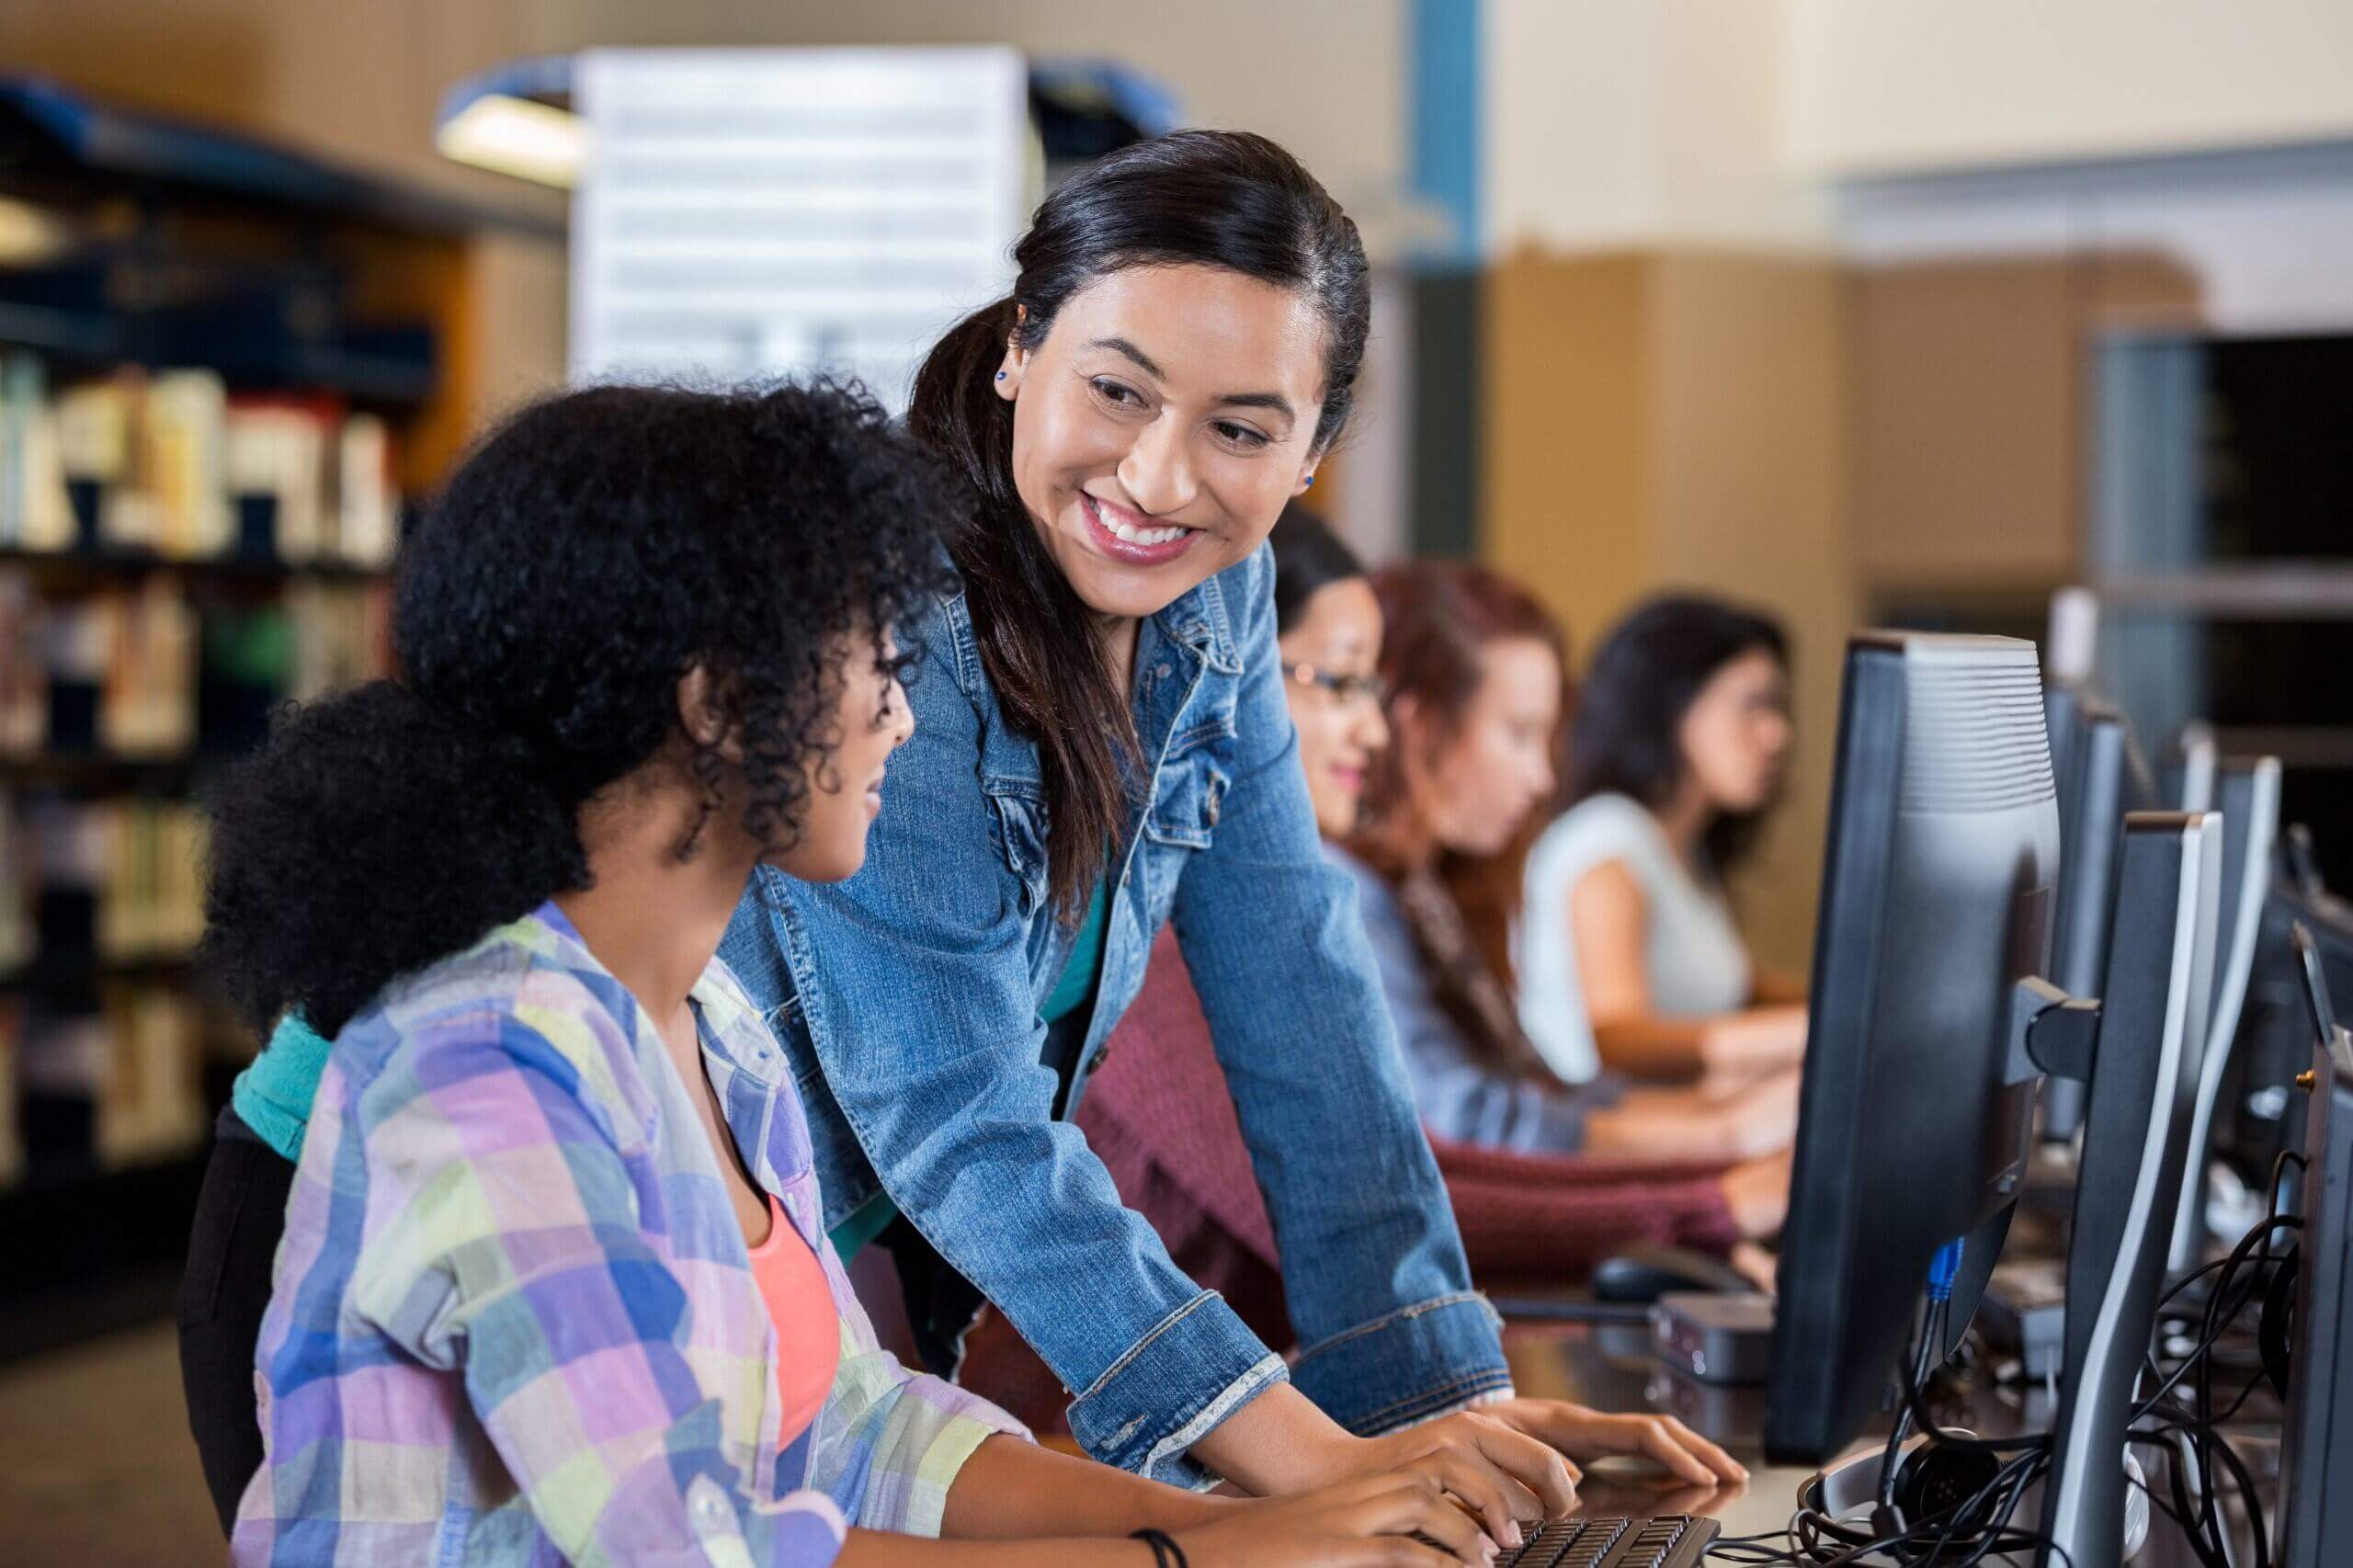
909 1006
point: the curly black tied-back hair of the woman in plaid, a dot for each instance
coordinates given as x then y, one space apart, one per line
585 557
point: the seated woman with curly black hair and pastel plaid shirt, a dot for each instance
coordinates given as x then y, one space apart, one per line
554 1280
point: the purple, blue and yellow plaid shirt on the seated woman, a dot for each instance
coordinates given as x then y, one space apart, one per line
514 1315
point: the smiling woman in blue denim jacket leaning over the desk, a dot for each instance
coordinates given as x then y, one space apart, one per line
1102 748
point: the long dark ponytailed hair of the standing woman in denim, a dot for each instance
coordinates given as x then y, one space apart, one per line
1213 199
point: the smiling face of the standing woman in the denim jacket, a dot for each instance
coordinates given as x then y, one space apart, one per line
1161 425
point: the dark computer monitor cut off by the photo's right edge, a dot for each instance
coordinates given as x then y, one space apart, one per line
2317 1435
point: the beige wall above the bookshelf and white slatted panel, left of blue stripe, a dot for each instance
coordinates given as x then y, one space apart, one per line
361 81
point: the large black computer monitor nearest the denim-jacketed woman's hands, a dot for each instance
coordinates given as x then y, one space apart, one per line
1935 903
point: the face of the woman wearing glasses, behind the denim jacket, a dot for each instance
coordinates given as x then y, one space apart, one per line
1331 658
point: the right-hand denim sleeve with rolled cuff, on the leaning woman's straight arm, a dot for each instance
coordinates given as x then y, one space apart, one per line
1373 1265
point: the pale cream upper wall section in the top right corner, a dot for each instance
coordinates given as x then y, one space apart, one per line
1881 86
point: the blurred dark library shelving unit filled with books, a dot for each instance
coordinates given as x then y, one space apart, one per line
225 371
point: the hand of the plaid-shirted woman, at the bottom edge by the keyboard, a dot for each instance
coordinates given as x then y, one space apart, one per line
1359 1524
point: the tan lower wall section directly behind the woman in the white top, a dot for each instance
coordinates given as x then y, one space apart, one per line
1677 420
